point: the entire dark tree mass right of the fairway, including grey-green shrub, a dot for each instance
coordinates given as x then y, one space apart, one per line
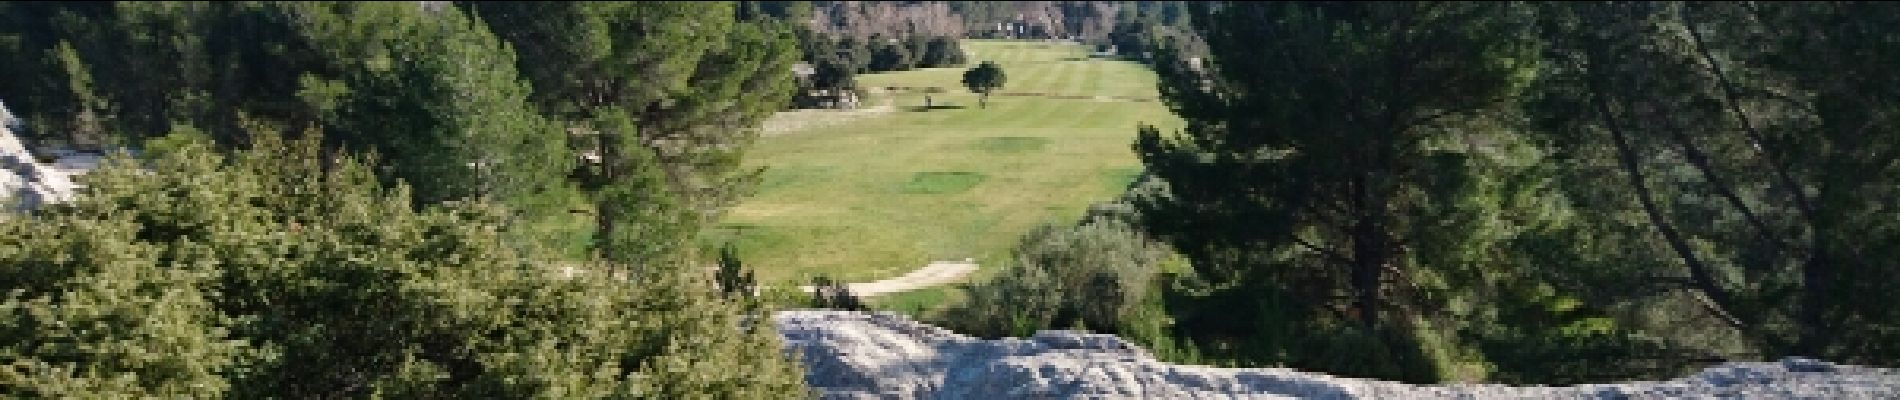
1508 192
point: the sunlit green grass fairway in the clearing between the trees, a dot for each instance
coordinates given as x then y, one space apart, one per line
873 194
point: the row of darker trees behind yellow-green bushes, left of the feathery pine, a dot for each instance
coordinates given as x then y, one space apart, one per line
430 92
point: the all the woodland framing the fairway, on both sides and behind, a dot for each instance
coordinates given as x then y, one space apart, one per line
506 200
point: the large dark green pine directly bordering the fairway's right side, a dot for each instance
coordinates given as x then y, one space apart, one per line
1323 189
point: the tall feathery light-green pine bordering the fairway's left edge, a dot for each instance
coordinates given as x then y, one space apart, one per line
664 98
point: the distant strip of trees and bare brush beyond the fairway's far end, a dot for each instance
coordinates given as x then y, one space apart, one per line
846 39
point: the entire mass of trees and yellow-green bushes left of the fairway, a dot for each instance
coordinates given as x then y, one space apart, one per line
487 200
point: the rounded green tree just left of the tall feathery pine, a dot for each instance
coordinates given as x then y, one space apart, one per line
453 117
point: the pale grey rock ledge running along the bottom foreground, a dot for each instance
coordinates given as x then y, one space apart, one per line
884 355
